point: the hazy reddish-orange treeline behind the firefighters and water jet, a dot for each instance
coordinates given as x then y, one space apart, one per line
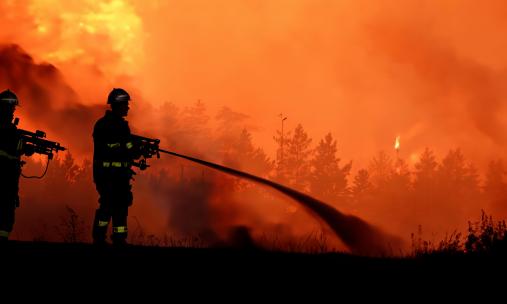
439 194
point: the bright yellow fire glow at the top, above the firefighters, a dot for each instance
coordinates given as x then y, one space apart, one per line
87 31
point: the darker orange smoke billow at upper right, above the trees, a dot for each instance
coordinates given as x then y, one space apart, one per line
449 90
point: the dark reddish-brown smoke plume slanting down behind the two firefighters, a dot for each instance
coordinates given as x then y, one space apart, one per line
46 99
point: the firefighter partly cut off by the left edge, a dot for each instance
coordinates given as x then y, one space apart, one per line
11 150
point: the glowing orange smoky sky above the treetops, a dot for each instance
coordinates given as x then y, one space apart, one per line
431 72
